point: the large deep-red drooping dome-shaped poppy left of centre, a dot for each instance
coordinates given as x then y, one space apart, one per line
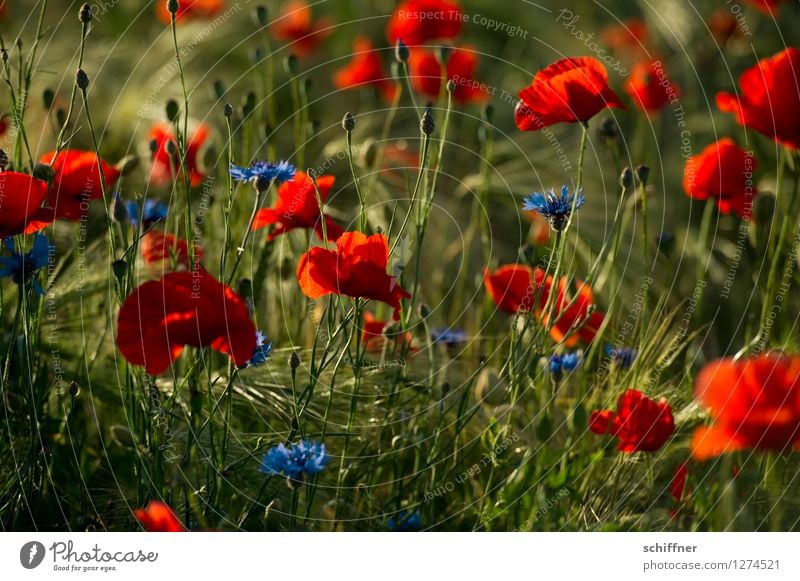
163 316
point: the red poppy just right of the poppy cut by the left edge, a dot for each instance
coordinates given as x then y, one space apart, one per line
76 182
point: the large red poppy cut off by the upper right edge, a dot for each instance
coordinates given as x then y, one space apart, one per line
770 98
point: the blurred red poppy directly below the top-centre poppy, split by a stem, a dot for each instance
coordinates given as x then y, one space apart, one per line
426 74
